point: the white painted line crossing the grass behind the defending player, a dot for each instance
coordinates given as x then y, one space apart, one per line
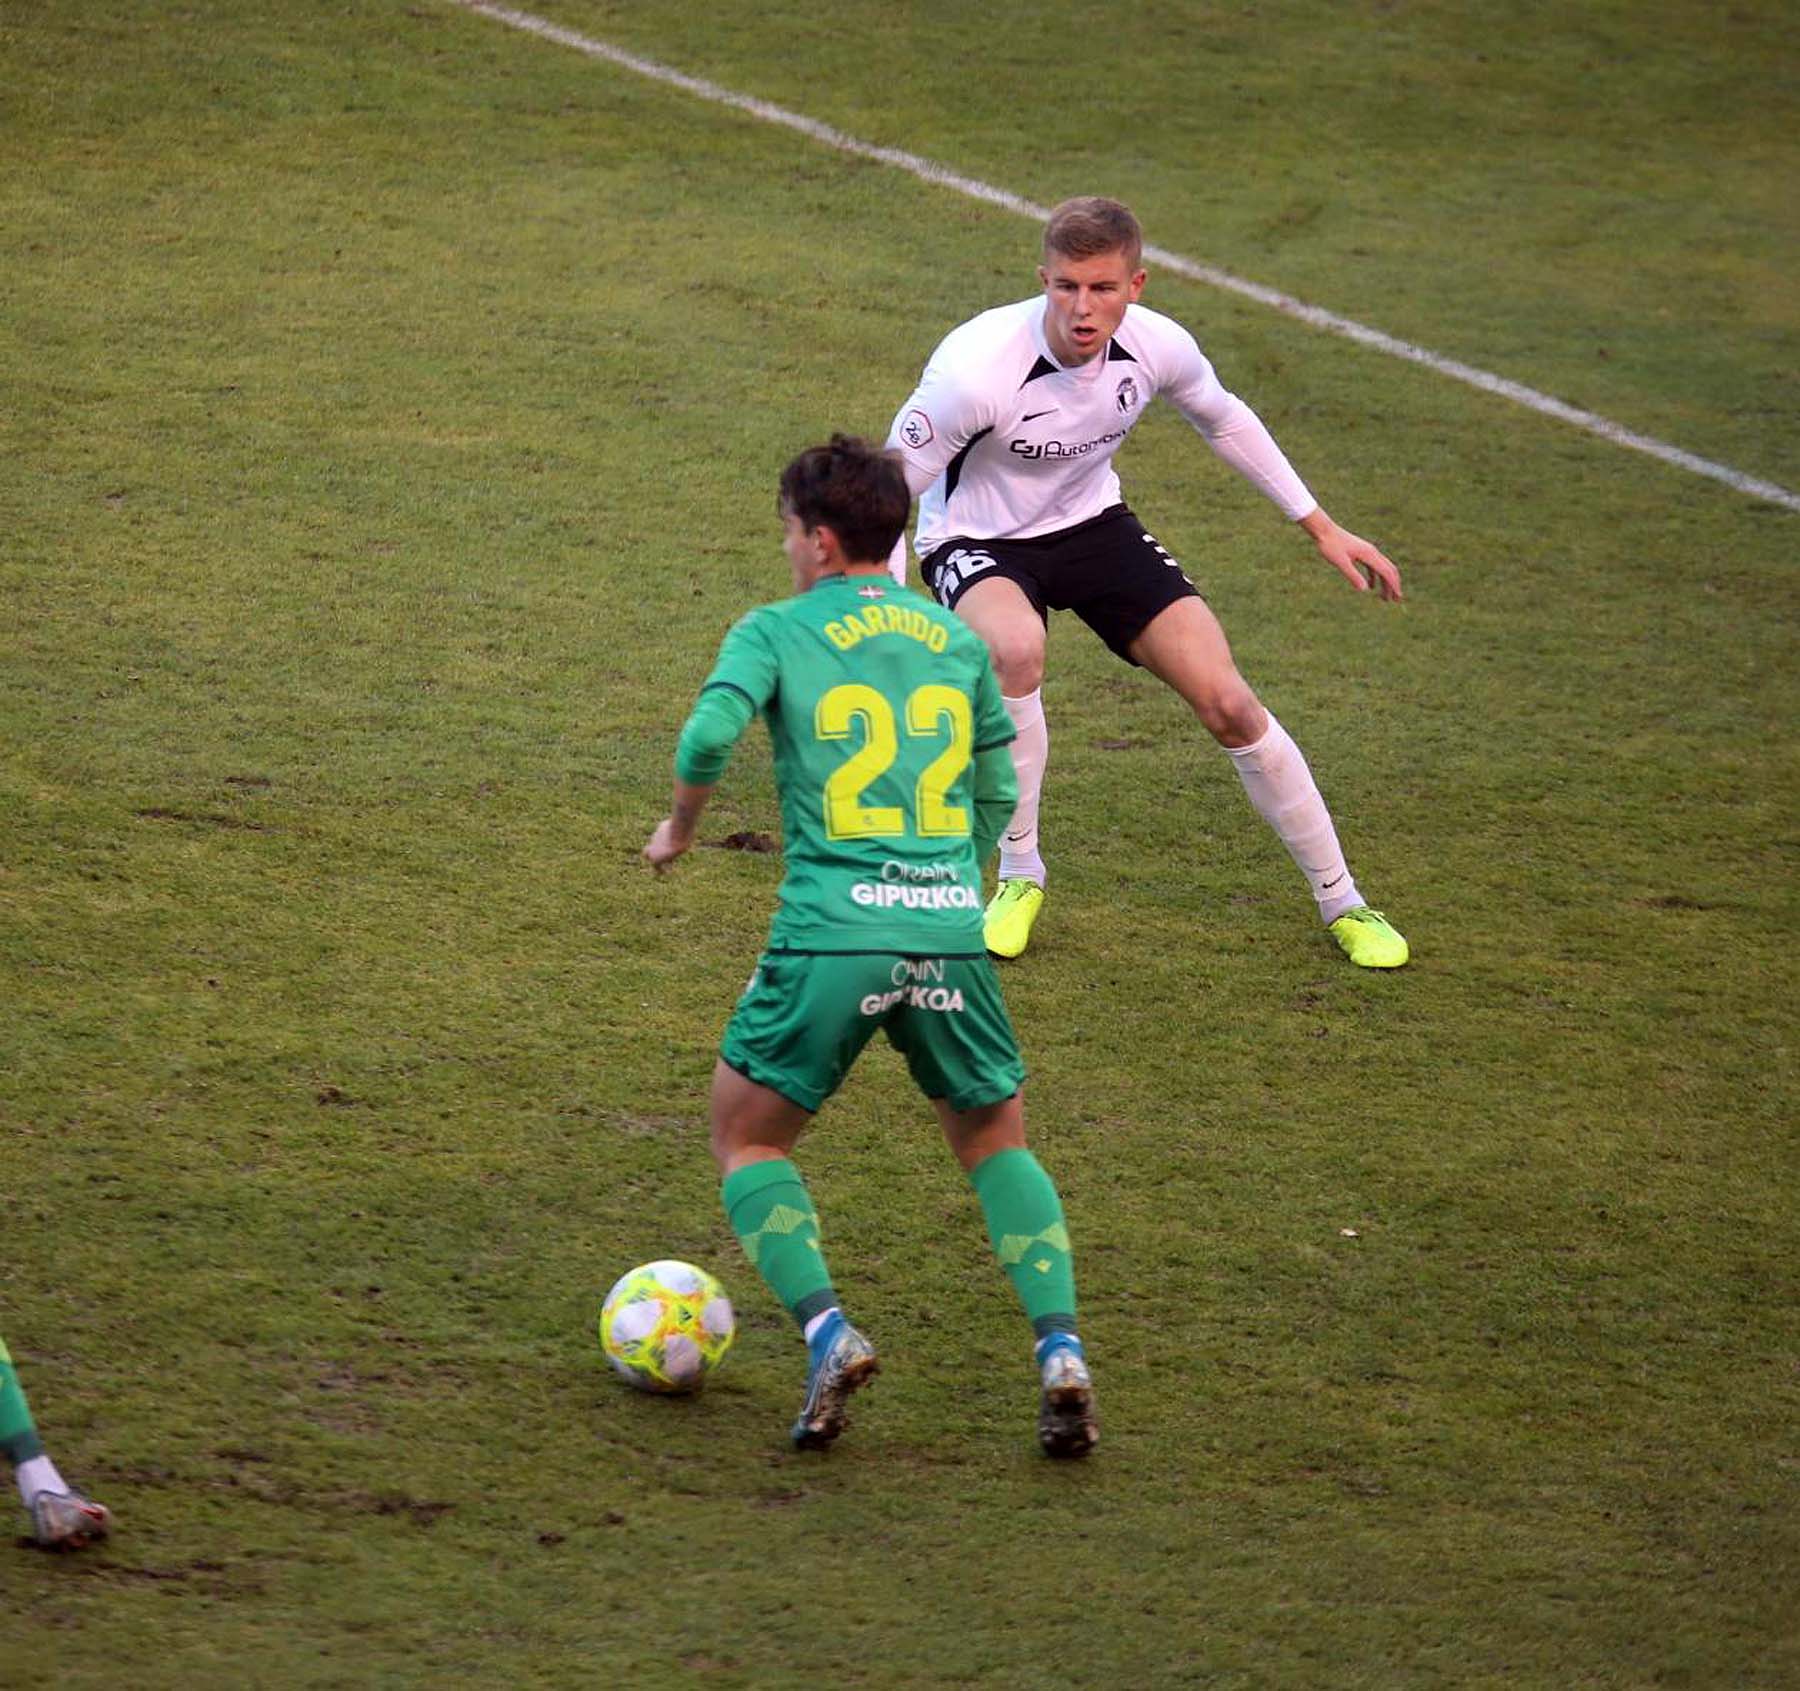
937 176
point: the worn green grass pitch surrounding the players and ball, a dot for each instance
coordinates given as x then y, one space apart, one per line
393 406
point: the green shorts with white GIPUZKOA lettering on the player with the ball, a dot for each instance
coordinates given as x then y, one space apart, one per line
807 1015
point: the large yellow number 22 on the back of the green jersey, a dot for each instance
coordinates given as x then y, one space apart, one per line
931 712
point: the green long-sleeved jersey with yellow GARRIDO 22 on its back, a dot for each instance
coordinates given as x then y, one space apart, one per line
881 707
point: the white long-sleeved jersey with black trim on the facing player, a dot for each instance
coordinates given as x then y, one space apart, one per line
1002 442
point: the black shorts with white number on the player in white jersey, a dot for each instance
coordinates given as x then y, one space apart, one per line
1110 572
